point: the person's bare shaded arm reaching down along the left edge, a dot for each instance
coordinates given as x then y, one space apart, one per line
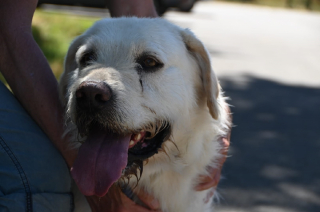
28 73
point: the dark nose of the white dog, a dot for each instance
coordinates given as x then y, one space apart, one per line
93 95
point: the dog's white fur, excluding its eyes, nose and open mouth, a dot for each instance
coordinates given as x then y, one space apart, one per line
185 92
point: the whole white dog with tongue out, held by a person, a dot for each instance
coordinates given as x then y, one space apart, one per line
142 100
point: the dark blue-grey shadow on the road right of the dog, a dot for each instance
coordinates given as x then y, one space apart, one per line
275 162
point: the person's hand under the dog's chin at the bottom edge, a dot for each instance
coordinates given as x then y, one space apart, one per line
116 201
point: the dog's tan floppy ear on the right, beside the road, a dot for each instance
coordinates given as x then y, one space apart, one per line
209 79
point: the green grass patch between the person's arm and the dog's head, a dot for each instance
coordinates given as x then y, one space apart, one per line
54 32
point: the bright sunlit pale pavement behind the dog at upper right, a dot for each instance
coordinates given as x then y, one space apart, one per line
277 44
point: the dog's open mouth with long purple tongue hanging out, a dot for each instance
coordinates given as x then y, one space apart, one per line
105 156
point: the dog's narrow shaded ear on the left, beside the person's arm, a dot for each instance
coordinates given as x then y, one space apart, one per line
70 65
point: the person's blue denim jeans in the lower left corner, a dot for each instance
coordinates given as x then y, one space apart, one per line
33 175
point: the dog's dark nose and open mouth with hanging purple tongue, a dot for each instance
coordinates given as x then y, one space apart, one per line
109 152
